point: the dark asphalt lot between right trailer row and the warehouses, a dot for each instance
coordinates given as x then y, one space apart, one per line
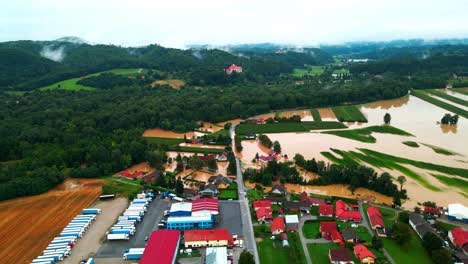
116 249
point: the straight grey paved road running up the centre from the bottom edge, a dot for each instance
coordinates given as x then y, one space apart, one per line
249 238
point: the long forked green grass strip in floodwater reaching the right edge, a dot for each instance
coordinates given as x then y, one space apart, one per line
382 160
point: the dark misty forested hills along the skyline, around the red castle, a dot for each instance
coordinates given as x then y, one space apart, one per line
26 65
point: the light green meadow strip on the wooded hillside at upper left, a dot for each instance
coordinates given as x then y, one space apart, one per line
71 84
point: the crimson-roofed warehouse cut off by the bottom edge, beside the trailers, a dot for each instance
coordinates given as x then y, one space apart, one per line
162 247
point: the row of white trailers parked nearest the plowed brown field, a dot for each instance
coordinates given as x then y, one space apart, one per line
60 247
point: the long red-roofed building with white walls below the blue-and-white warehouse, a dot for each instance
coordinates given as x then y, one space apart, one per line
207 238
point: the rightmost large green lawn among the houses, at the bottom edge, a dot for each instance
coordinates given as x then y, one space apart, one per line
408 254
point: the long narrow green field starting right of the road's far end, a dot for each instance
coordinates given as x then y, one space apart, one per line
243 129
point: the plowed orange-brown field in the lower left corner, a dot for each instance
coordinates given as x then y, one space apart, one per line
27 225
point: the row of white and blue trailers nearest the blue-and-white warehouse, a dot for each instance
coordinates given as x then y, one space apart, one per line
126 223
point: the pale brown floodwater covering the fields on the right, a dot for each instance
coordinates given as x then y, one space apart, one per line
408 113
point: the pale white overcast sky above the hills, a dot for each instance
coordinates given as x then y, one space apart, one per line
177 23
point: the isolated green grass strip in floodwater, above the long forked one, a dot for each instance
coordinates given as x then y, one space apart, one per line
364 134
